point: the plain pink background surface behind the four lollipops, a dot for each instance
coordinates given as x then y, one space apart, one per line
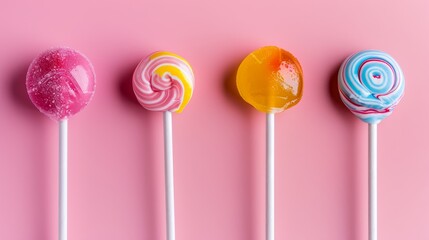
116 177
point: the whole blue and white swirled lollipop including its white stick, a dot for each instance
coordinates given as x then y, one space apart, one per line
371 84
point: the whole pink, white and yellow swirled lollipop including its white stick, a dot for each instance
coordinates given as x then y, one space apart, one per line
164 82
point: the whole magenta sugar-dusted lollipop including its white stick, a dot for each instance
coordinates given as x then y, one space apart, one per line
60 83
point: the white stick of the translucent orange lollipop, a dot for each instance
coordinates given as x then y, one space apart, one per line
270 178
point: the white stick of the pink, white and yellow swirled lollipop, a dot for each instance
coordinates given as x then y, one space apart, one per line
169 175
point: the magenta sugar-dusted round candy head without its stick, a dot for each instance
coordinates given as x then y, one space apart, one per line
60 82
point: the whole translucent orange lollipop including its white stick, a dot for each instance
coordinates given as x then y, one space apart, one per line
270 79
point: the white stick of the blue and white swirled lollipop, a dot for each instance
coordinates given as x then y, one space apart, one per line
372 181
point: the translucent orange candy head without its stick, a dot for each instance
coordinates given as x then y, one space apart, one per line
270 79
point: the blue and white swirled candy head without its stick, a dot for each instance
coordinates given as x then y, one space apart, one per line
371 84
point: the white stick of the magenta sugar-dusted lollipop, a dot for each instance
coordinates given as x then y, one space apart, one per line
63 181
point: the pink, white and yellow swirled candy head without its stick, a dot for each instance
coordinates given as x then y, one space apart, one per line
163 81
